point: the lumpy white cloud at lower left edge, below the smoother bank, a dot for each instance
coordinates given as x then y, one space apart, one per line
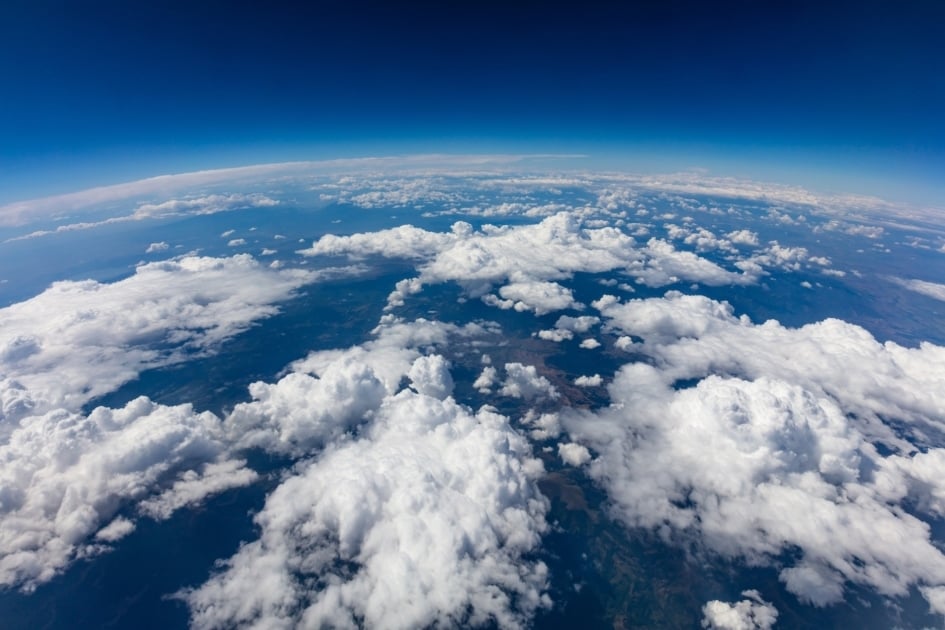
64 476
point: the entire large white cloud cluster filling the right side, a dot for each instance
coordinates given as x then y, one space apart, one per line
771 456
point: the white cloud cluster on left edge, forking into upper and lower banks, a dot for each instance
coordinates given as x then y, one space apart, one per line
64 474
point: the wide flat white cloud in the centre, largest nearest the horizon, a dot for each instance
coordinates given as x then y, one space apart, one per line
526 258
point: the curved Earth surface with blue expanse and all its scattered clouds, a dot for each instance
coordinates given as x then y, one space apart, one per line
463 392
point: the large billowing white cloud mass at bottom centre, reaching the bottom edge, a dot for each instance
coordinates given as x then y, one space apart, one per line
423 520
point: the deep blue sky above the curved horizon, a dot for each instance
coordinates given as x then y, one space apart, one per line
837 94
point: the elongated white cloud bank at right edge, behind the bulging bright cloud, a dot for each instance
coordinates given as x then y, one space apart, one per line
692 336
